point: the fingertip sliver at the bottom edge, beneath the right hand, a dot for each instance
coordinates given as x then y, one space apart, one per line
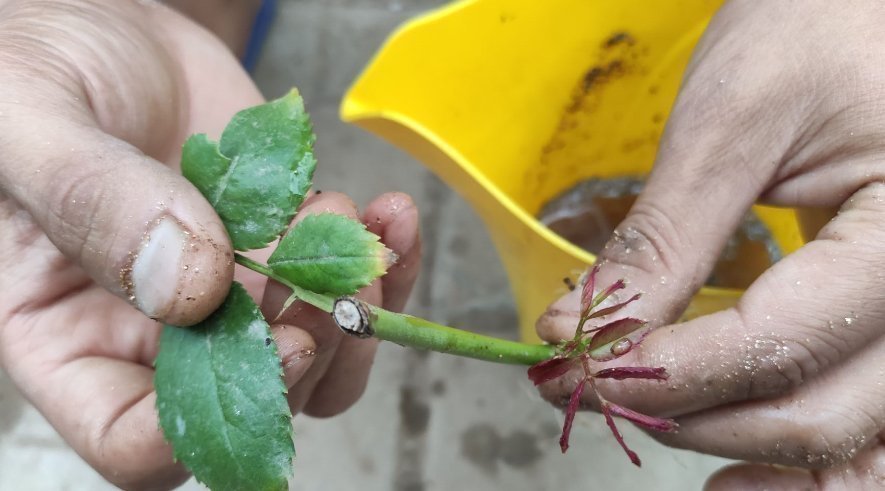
757 476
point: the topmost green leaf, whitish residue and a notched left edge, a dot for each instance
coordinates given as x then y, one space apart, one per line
257 176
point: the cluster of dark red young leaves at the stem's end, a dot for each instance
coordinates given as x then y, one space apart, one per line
602 343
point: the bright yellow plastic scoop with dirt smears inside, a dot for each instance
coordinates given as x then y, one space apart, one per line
513 101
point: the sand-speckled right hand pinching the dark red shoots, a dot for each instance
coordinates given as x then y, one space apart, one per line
783 103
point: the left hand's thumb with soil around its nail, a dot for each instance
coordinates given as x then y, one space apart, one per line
136 227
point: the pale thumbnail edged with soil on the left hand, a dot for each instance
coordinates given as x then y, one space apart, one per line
156 268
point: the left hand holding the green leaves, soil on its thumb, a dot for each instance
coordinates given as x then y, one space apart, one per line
98 97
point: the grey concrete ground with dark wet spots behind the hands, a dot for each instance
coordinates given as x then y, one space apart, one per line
427 421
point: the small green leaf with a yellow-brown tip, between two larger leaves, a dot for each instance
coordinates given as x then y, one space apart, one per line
330 253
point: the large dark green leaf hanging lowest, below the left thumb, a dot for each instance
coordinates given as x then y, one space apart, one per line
222 401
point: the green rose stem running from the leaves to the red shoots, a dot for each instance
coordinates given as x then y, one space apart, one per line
415 332
